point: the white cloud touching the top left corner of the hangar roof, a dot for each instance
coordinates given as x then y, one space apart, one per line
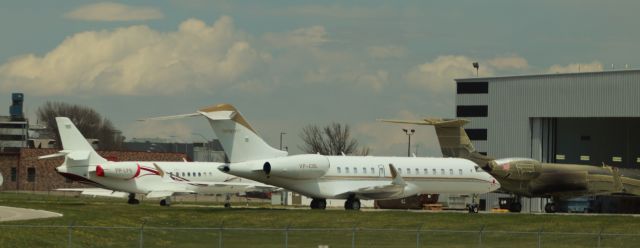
439 74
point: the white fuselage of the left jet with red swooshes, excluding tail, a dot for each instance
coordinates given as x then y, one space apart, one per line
179 177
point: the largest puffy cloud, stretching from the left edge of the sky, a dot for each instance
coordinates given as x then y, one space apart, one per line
138 60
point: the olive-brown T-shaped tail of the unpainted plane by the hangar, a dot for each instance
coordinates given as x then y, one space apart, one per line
454 141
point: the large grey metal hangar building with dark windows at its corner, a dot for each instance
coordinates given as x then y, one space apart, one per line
582 118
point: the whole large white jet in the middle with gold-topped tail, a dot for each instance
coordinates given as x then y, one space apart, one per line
322 177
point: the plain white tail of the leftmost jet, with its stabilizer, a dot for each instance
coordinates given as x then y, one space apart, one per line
75 148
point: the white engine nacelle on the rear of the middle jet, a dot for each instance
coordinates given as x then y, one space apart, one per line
305 166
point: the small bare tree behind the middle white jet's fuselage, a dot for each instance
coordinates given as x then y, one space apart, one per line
333 139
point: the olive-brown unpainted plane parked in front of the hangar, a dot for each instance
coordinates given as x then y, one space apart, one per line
528 177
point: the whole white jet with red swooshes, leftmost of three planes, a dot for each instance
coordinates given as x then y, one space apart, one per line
155 179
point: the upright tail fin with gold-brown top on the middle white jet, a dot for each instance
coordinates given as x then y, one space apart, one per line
240 141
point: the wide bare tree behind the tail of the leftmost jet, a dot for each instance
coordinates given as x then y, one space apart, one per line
89 122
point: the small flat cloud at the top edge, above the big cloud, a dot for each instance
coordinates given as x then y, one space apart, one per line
108 11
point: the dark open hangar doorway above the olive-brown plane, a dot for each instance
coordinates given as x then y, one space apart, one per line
612 141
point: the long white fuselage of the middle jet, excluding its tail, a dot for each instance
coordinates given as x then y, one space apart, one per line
343 174
